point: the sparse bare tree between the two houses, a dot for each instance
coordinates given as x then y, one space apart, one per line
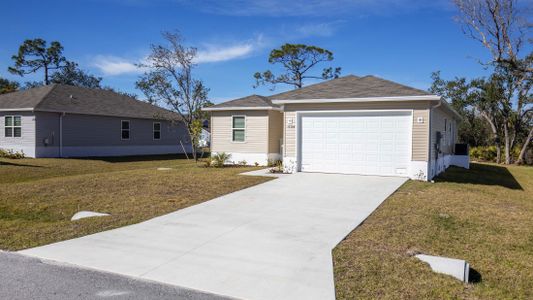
170 81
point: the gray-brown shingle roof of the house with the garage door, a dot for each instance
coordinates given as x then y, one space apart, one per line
350 86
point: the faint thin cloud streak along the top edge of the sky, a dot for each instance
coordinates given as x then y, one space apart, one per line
279 8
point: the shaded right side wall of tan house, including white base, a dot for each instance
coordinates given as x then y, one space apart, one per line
438 162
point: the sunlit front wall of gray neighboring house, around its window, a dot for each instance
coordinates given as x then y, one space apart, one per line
25 143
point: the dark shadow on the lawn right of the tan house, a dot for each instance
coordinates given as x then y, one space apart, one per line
481 174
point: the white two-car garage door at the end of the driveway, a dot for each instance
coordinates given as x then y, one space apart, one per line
376 143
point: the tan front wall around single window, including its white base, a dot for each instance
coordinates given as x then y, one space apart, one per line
255 147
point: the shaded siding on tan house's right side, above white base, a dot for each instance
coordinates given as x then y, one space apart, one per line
438 116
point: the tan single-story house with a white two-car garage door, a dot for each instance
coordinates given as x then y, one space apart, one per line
354 125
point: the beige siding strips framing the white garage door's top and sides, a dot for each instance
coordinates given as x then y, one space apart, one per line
420 130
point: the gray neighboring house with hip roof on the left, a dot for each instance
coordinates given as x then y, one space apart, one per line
67 121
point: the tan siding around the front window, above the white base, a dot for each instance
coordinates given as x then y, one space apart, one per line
256 139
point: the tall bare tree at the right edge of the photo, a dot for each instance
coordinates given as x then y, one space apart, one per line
501 28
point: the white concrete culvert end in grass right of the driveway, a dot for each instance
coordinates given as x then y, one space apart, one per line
457 268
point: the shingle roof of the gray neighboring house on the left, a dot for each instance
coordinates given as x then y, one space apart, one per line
79 100
